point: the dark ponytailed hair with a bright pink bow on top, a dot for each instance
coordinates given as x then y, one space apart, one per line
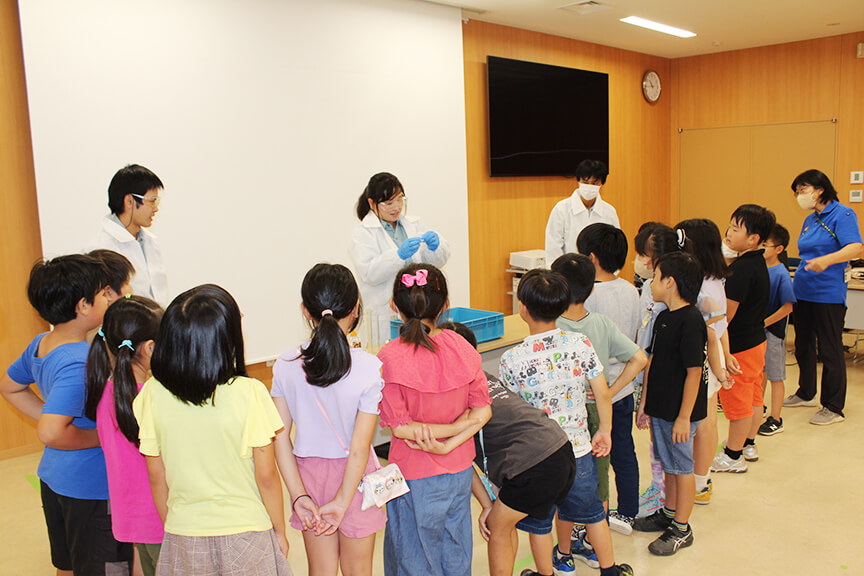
419 293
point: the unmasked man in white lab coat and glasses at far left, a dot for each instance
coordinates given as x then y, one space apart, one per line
133 197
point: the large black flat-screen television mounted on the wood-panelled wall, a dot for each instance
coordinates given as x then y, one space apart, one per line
544 120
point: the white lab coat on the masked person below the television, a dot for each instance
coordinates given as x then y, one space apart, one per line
569 218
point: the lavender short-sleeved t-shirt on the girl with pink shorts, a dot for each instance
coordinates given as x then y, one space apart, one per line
359 390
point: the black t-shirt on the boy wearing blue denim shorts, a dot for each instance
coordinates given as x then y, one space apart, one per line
680 341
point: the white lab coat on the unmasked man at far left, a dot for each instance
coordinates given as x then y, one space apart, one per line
149 279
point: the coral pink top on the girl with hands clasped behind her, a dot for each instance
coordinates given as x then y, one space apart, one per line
434 388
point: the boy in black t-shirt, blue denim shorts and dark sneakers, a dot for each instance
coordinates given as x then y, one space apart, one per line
674 397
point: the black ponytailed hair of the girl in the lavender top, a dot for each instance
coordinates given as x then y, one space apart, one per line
329 294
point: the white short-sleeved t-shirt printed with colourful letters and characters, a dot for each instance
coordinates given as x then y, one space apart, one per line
550 371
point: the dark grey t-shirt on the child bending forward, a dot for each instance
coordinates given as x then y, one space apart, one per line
517 437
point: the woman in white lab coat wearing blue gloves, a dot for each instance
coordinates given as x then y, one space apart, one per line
383 242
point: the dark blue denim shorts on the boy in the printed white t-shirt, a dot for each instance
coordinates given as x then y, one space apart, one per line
582 504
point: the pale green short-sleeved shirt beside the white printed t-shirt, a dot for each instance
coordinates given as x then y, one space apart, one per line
613 348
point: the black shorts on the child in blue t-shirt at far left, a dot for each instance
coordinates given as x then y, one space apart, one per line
79 532
